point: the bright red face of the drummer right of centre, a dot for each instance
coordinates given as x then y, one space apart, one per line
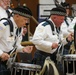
58 20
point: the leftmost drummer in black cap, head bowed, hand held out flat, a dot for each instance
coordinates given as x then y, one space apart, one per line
12 40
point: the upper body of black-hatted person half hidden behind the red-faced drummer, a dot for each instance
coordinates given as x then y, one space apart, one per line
67 20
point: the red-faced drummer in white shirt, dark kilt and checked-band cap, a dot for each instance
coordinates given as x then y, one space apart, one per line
46 40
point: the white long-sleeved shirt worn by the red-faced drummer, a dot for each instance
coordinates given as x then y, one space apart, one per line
43 37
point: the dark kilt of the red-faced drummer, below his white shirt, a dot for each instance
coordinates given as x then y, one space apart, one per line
40 56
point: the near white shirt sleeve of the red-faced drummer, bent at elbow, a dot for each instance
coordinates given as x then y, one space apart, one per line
39 38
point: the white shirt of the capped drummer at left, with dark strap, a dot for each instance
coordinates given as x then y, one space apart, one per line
7 41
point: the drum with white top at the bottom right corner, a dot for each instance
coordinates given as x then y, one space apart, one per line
69 64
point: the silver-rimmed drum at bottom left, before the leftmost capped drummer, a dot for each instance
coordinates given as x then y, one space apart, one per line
24 69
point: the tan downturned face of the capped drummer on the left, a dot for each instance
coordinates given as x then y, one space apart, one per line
21 21
